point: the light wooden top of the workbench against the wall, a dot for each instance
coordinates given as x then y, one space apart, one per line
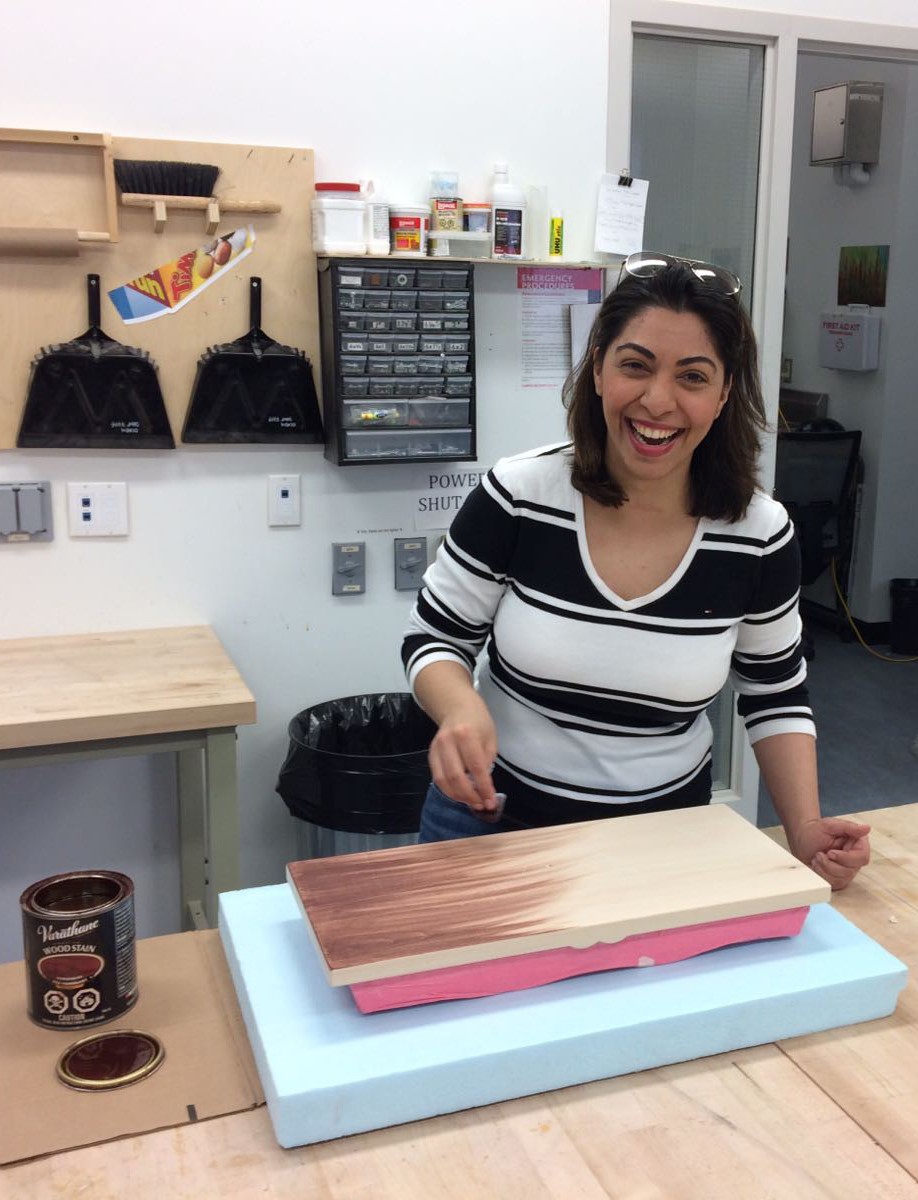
89 687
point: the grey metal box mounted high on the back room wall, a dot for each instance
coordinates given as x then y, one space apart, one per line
847 119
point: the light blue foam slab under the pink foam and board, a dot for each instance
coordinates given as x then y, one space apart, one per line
329 1070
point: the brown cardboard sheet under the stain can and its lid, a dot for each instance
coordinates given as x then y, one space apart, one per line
187 999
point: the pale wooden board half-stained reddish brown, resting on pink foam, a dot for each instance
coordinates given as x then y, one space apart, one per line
415 909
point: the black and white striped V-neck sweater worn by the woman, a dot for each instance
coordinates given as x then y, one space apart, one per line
601 701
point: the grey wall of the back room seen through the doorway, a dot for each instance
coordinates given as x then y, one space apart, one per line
824 218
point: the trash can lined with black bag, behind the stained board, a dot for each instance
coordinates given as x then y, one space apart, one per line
356 773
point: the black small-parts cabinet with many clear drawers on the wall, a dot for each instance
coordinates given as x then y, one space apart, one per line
398 359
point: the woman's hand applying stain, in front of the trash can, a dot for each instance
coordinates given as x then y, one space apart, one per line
464 752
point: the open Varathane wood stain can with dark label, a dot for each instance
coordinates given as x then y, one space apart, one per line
79 934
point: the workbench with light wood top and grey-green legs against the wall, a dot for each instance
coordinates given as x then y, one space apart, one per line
141 692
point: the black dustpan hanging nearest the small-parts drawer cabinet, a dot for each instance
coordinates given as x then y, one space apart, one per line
254 391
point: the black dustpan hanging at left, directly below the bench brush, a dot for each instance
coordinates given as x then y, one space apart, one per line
95 394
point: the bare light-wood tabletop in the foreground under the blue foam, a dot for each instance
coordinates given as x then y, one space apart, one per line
833 1115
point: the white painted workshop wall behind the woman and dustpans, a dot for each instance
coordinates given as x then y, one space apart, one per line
375 92
